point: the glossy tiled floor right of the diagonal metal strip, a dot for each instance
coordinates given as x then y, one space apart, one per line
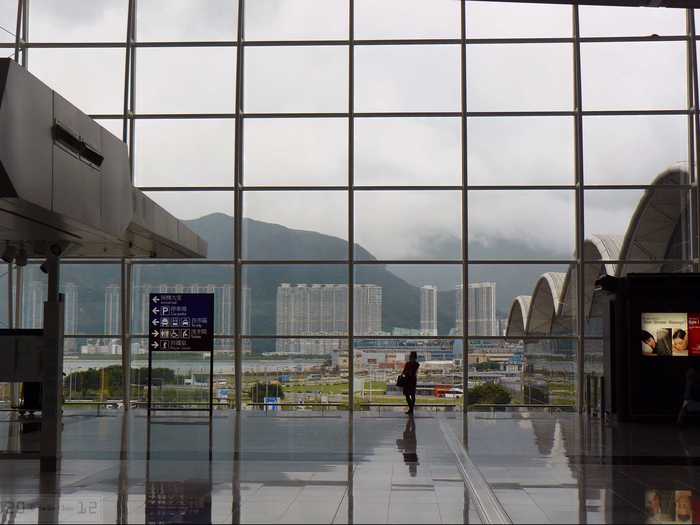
566 469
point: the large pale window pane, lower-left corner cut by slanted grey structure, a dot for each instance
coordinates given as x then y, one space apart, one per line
91 79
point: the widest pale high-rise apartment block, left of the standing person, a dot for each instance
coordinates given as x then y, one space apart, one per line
321 309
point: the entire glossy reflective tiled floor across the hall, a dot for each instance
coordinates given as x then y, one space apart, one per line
313 468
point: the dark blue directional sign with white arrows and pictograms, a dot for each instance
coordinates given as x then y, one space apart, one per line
169 312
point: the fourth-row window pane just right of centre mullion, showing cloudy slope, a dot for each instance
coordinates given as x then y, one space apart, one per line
408 225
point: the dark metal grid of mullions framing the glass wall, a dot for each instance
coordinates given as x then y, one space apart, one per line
578 187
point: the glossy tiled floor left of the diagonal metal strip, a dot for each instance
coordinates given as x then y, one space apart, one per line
288 469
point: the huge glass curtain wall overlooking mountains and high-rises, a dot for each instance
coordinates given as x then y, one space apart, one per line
395 148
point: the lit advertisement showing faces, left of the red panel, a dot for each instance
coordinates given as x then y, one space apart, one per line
665 334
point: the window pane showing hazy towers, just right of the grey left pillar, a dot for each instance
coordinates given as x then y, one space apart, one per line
92 298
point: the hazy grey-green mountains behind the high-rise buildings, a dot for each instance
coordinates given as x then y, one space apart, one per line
265 241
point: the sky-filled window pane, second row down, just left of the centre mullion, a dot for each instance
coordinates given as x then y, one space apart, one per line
296 79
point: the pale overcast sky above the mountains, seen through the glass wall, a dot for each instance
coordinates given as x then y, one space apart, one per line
413 151
